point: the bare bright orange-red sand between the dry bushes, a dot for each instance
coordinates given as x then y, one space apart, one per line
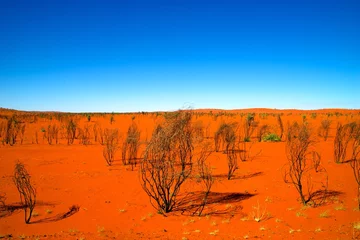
113 204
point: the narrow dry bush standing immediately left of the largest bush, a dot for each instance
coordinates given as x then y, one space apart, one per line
131 145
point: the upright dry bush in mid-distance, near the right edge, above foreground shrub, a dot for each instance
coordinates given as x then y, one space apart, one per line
344 134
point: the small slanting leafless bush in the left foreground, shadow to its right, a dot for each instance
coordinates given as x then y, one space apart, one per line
26 190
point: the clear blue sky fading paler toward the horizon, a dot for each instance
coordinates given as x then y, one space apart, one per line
106 56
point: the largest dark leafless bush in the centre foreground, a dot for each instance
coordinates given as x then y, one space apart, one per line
167 161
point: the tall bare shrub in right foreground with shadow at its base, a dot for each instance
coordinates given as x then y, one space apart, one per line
299 170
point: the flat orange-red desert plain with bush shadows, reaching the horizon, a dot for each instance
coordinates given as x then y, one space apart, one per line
79 196
